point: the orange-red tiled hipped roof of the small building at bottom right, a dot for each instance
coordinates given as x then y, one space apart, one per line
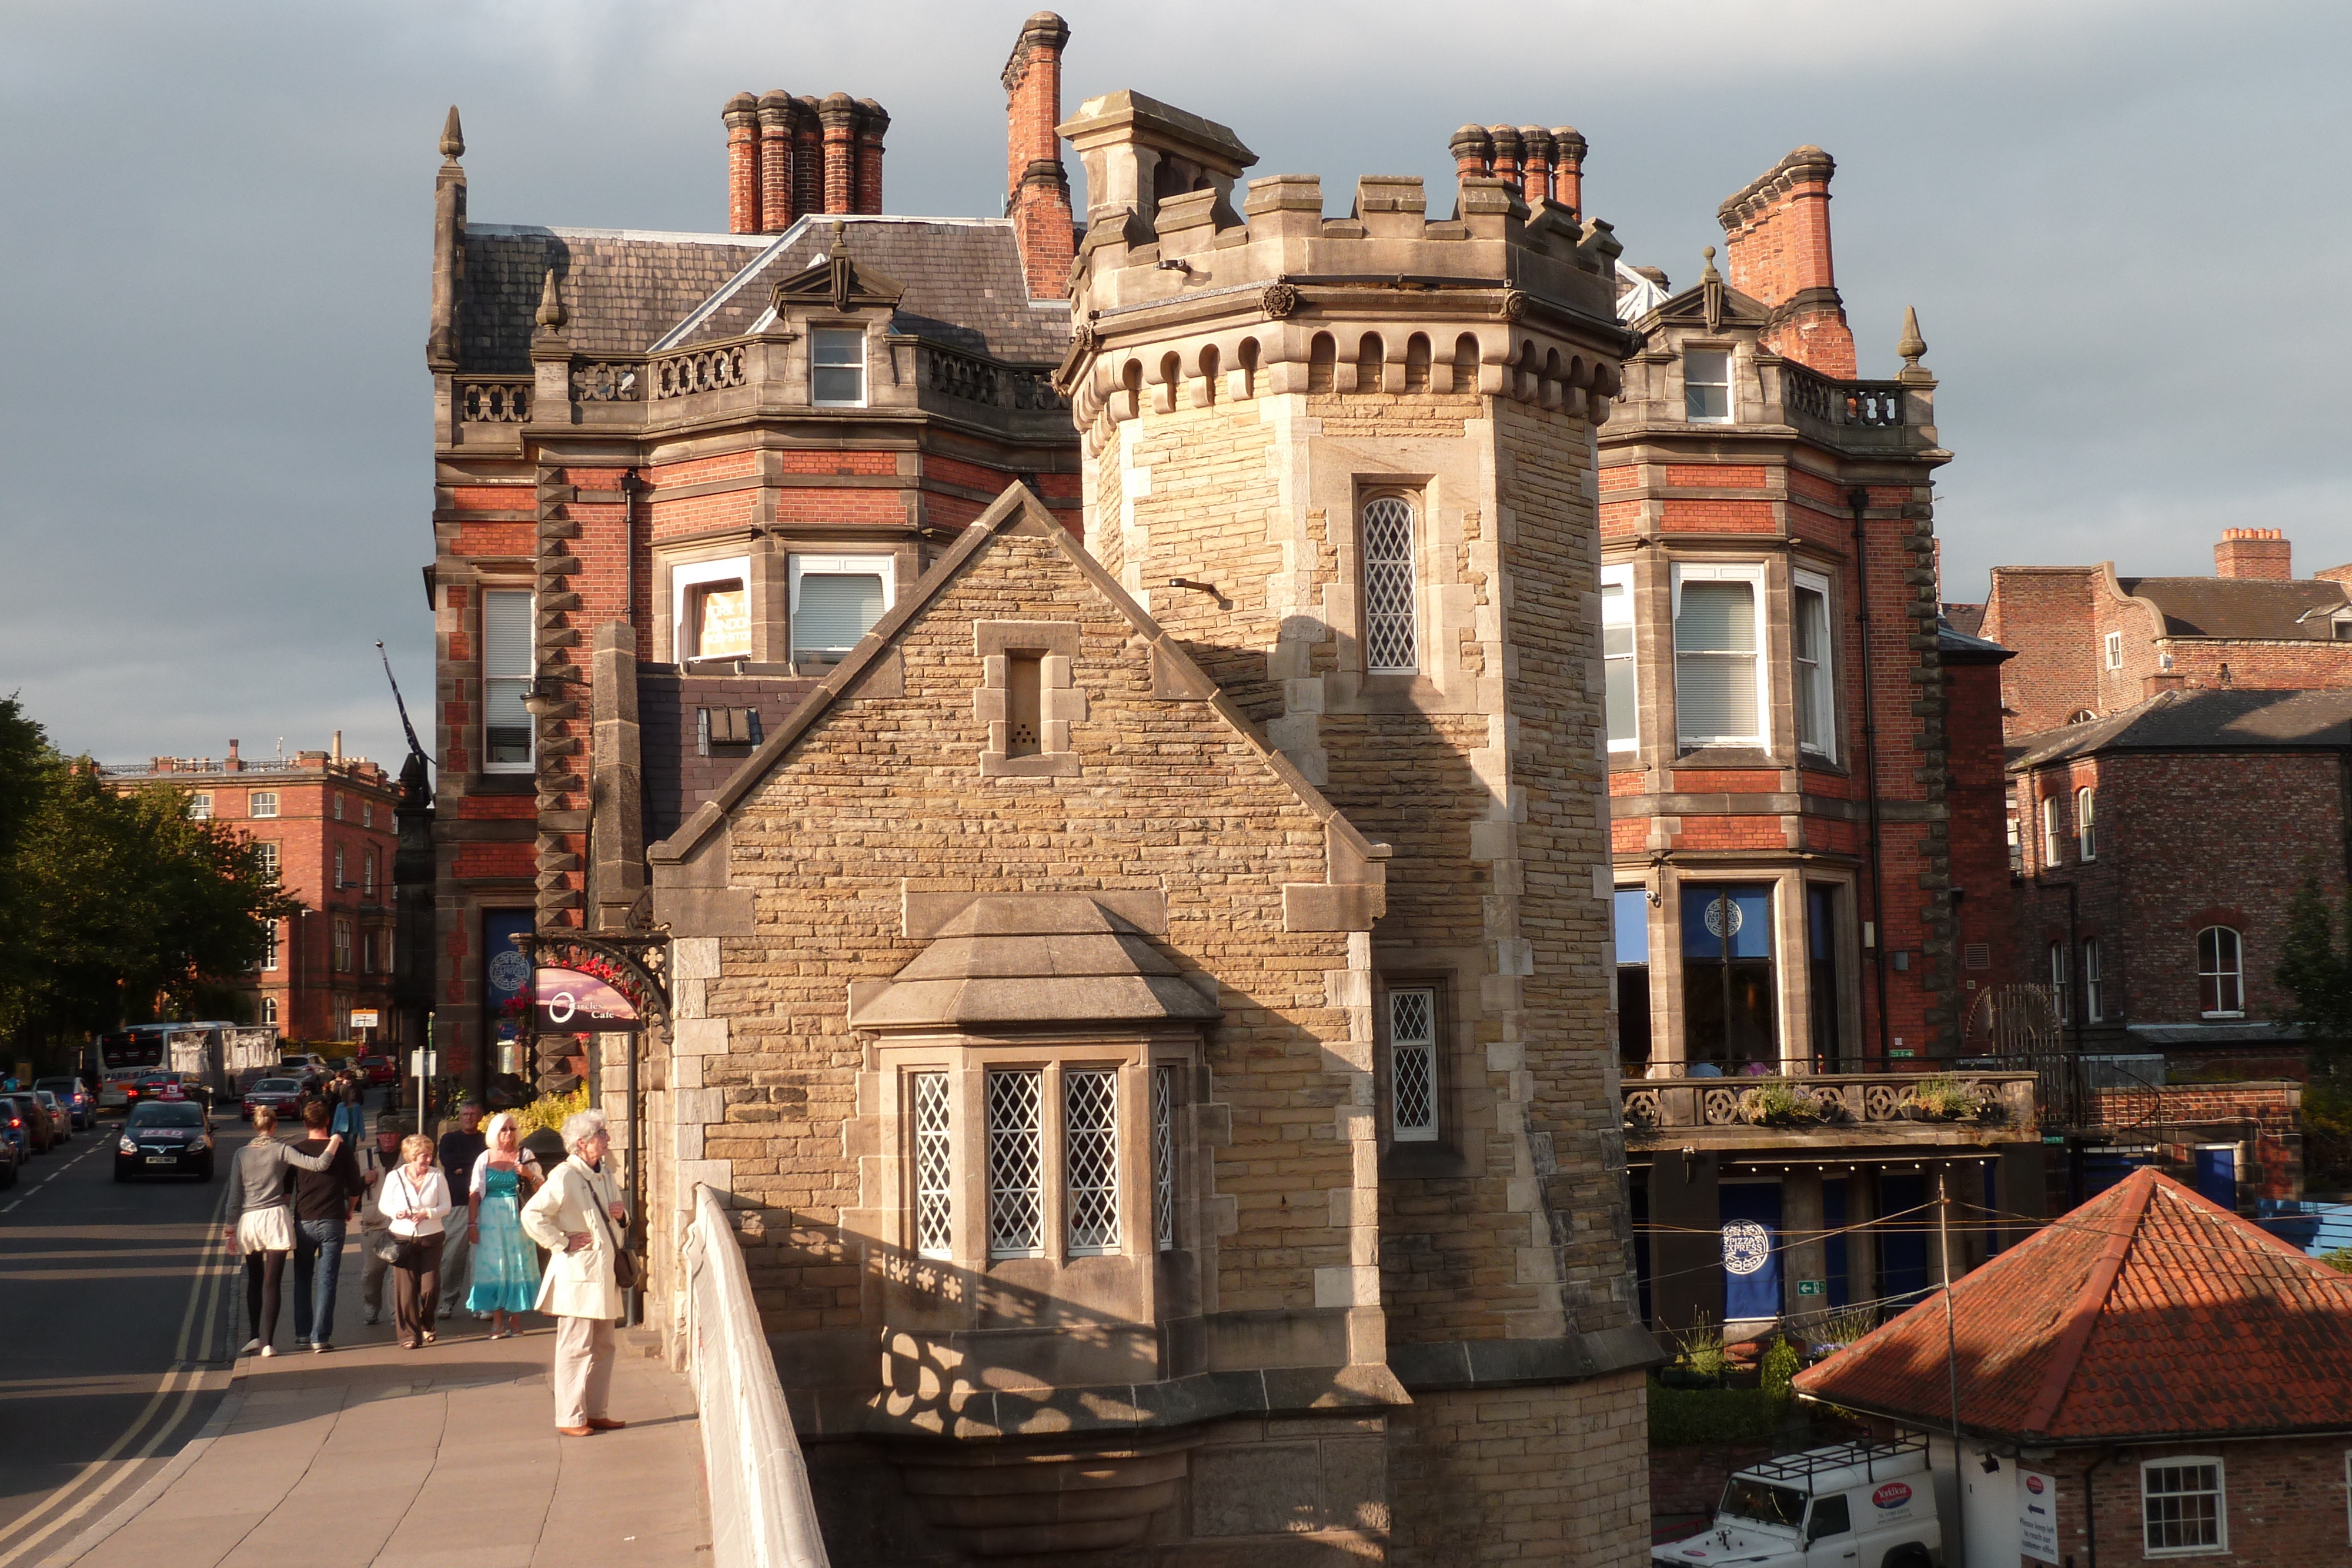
2144 1313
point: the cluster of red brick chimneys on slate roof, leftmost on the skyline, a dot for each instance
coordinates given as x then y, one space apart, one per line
796 156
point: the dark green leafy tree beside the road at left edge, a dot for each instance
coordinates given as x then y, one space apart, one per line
114 904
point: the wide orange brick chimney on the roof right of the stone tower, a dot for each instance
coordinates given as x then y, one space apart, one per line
1777 250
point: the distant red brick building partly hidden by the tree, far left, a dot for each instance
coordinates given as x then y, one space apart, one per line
328 826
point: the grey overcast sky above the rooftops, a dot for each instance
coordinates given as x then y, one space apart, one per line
2123 227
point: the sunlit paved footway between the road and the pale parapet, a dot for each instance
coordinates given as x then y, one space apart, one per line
441 1456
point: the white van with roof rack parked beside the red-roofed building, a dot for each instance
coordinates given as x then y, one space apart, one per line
1850 1506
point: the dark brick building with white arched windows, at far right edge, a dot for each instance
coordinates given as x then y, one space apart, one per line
2158 852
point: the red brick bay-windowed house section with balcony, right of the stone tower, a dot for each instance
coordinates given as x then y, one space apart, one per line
1805 772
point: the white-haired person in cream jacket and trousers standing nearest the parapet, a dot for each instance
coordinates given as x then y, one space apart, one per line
580 1219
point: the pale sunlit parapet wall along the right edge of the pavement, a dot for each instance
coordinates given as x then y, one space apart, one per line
761 1508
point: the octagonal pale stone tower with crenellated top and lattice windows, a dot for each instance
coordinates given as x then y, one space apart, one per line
1349 464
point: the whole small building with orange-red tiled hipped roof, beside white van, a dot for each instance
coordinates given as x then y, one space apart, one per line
2156 1376
